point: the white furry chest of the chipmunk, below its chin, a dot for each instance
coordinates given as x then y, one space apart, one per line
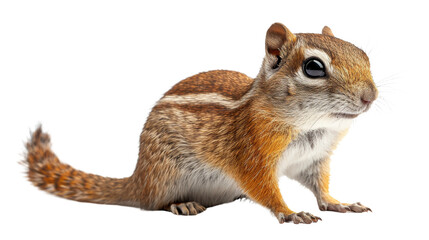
306 149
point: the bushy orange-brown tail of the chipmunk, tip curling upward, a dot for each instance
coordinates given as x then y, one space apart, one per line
47 173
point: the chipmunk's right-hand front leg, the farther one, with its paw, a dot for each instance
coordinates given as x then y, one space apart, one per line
316 178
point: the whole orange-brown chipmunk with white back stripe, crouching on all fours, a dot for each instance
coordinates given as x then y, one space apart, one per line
221 135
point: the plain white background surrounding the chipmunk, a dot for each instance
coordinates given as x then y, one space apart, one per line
90 71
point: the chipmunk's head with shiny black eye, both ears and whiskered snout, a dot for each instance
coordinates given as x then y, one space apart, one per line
315 80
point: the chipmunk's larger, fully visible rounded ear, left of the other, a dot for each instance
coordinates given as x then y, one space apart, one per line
277 36
